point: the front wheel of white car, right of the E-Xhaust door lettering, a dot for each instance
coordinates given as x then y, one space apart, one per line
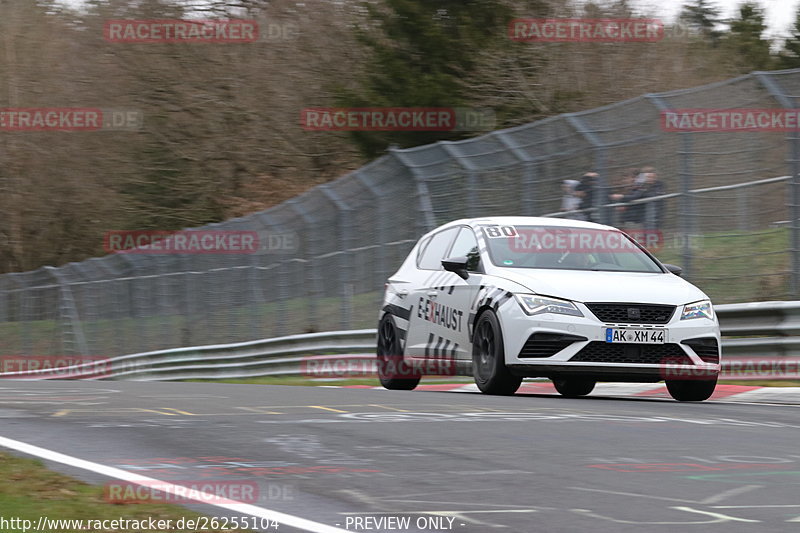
488 358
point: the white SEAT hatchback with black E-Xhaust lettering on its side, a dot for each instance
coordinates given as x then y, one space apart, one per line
505 298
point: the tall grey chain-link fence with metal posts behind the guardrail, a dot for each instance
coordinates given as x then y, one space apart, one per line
729 216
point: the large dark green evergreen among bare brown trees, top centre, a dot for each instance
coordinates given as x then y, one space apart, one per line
421 51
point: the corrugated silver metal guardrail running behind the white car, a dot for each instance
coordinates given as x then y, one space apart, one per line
758 338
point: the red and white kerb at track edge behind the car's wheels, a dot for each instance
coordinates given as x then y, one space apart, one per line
728 393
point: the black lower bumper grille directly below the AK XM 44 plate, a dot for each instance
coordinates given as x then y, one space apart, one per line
655 354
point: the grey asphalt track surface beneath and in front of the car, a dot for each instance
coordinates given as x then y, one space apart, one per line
527 463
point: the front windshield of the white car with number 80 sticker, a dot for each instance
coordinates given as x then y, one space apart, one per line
566 248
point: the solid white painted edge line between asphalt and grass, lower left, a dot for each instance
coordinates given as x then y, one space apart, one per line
203 497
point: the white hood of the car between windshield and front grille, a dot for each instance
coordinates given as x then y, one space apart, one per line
589 286
